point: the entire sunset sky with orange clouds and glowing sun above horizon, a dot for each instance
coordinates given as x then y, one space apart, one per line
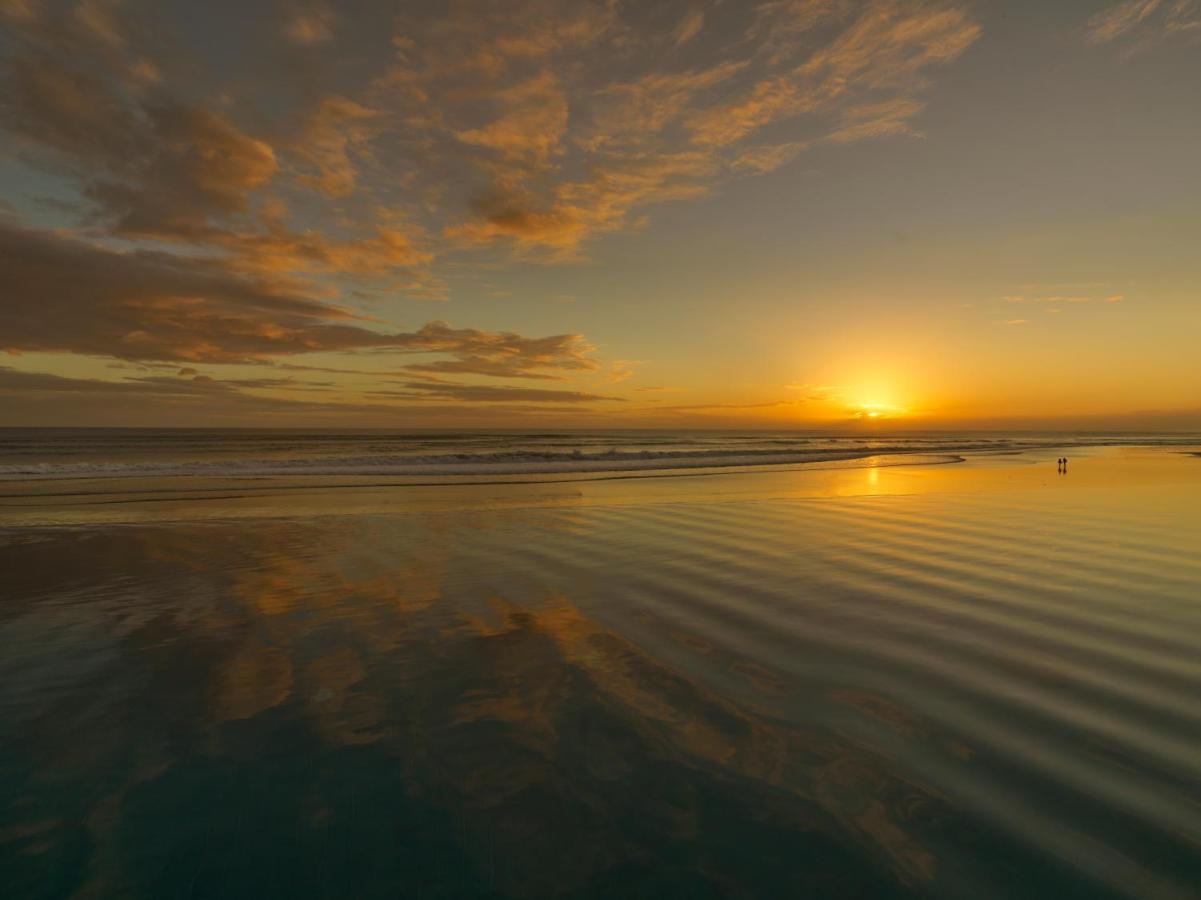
601 213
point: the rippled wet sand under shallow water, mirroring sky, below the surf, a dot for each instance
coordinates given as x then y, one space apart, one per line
965 681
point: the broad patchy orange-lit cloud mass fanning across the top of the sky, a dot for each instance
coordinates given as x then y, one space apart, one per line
488 127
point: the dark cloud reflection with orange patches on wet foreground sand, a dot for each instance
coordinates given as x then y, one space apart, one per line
539 750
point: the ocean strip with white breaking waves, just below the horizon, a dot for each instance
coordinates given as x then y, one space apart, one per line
58 454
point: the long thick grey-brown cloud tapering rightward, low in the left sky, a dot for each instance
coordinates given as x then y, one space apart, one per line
69 296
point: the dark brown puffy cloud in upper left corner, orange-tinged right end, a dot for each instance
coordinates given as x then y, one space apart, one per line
153 164
